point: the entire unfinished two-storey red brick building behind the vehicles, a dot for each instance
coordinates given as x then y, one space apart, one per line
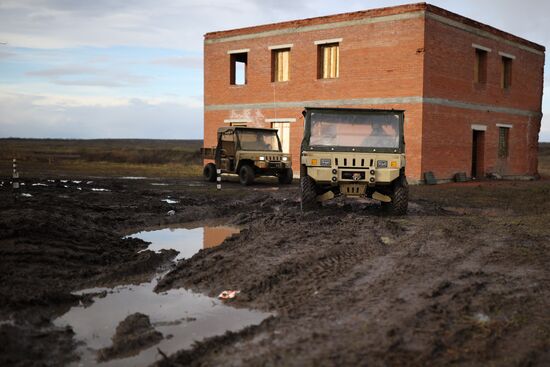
472 93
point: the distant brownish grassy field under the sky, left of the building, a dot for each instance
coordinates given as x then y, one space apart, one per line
101 157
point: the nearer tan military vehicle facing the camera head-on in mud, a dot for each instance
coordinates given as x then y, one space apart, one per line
356 153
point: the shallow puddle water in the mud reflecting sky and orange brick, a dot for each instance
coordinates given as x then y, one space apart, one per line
180 315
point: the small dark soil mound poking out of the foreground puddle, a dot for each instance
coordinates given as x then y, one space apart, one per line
134 334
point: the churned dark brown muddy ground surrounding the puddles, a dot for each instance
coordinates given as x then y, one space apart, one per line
463 279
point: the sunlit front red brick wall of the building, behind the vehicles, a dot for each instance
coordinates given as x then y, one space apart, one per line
376 60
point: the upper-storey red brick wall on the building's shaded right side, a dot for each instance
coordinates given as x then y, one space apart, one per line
450 69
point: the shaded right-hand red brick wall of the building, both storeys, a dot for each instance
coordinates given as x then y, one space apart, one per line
449 74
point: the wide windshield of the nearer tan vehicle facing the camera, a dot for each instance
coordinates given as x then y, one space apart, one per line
359 130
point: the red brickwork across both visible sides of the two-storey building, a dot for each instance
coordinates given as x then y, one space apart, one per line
414 57
